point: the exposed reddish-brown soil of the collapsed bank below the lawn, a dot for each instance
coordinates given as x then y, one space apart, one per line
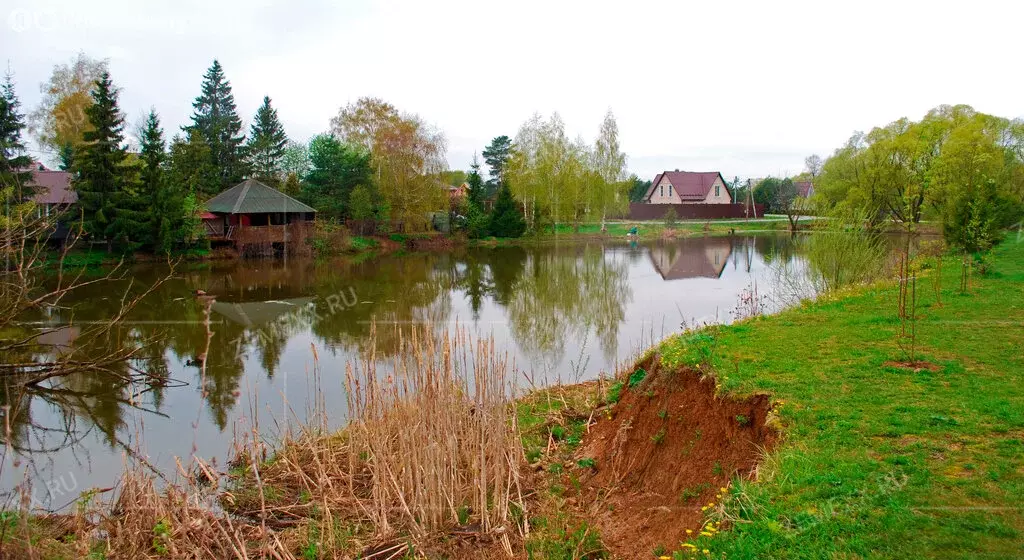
669 448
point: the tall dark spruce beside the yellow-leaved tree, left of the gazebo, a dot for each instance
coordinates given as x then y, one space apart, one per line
100 169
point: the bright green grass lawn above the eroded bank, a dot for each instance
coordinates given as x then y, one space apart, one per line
879 461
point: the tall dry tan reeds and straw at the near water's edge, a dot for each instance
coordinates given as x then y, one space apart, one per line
432 448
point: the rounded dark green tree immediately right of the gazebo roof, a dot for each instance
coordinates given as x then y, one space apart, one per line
336 170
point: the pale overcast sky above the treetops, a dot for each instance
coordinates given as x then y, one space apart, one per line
746 89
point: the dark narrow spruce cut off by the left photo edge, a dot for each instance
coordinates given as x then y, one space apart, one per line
15 162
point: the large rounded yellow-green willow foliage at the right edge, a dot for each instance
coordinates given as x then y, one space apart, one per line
910 170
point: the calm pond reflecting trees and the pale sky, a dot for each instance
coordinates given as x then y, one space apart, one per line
565 313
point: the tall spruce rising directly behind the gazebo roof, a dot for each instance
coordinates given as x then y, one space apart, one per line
218 120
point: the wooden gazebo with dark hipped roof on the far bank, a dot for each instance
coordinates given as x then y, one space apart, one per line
255 218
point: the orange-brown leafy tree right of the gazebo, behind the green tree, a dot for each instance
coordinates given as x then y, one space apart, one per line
407 155
